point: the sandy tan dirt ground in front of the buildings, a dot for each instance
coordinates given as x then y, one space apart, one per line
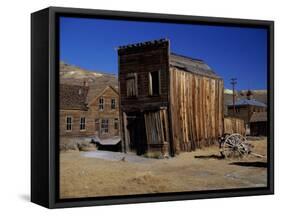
84 176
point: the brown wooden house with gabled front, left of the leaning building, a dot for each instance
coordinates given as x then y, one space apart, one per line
86 111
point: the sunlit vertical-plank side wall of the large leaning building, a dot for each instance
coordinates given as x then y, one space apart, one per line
196 106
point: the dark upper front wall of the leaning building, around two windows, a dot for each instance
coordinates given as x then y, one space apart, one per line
139 64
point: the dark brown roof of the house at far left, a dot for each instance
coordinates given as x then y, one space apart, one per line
73 97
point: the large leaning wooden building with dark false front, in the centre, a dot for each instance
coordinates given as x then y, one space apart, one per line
168 103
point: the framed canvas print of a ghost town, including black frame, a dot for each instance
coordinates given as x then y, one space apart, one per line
139 107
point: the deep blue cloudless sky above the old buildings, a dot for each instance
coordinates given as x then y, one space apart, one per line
229 51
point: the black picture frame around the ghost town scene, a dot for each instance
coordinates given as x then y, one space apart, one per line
44 103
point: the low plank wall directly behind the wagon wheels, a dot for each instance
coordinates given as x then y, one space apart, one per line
234 125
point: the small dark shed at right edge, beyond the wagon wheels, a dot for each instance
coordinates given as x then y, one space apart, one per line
258 124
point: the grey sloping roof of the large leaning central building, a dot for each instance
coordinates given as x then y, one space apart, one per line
192 65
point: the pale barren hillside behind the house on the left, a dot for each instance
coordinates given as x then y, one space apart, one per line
73 75
